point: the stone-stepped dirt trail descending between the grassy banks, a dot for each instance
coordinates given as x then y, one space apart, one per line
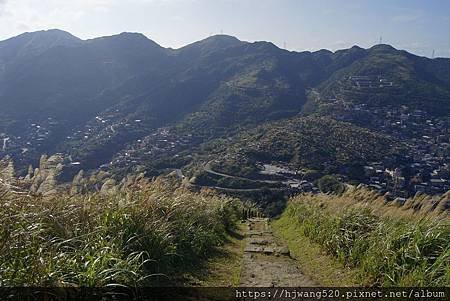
266 260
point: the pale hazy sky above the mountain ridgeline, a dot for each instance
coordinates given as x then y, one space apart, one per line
415 25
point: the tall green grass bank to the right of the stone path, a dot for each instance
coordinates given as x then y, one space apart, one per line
384 247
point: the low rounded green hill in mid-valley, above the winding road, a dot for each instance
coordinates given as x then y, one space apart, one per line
307 142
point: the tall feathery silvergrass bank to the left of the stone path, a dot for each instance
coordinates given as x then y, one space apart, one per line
142 236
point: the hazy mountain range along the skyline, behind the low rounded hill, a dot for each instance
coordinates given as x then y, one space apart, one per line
95 99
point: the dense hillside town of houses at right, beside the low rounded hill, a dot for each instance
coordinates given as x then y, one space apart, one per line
425 166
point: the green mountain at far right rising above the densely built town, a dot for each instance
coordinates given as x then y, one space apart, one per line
416 81
